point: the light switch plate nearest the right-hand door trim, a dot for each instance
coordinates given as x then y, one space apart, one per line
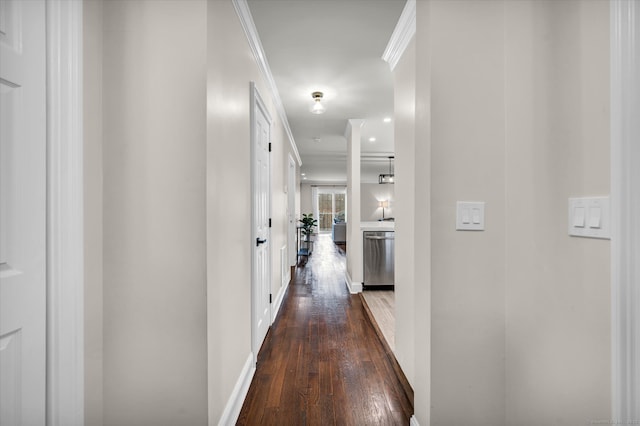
589 217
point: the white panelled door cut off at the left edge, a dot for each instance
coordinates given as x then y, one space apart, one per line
22 212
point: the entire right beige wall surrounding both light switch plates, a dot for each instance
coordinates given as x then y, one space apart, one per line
511 109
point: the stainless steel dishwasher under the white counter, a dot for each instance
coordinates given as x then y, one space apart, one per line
379 261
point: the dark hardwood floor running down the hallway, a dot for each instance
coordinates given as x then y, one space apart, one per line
322 362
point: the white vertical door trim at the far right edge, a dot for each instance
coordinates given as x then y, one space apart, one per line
625 208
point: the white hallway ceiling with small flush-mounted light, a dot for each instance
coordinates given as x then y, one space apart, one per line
332 46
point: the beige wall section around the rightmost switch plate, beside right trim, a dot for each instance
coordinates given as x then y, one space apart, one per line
558 300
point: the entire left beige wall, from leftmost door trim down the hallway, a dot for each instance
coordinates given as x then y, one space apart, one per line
167 135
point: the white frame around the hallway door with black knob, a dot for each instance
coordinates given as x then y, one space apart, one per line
258 104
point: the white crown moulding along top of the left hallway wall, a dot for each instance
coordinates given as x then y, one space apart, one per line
246 20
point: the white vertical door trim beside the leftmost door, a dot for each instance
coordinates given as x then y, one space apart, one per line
65 257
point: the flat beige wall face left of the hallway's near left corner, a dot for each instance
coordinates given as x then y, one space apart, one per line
155 365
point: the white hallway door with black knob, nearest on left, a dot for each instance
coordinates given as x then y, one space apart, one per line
261 206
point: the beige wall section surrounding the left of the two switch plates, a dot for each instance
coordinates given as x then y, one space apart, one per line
467 152
